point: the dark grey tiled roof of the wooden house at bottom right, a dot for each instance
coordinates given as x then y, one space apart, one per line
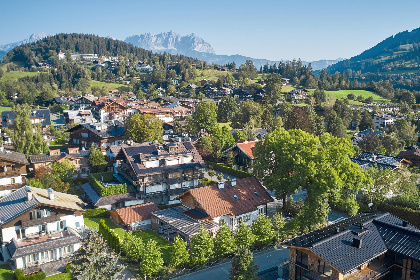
380 233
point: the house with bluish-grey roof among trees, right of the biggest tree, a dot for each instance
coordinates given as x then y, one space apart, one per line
366 160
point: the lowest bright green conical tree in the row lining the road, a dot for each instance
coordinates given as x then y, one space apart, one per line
151 262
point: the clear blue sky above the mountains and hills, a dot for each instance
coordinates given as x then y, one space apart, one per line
277 29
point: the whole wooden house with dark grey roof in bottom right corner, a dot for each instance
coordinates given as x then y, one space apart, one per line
365 246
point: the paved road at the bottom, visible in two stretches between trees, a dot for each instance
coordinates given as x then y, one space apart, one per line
265 260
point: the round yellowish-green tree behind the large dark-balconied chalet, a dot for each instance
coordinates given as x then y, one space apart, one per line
143 128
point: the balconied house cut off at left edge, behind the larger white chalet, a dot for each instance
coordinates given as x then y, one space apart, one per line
13 170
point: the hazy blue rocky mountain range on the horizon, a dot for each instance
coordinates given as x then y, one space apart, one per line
193 46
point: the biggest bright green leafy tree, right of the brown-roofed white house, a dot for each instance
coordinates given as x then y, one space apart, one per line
287 161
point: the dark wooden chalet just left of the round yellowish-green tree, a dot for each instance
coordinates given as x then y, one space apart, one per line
100 135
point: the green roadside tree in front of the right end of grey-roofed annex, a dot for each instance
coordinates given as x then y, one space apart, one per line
201 247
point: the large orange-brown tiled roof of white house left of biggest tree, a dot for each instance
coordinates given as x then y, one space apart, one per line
218 202
